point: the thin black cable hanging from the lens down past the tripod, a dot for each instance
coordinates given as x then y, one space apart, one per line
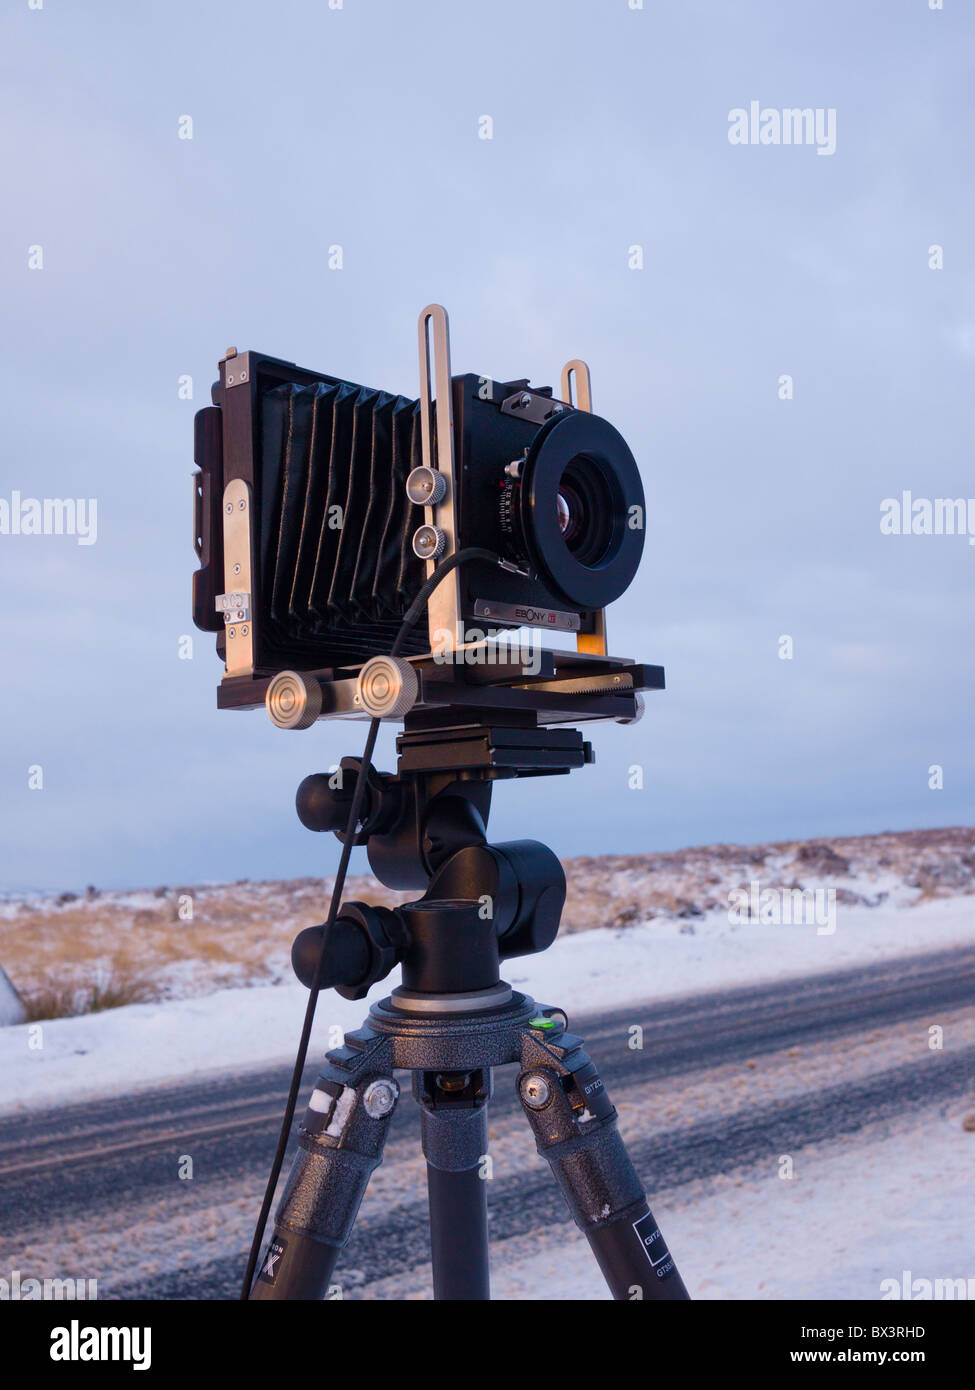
414 612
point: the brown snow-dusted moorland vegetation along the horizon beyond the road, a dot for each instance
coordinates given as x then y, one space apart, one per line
79 954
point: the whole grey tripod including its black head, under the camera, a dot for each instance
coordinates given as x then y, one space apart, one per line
453 1021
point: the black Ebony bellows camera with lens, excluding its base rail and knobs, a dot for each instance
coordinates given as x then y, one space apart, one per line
322 507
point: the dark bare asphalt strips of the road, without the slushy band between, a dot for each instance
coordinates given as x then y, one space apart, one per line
90 1161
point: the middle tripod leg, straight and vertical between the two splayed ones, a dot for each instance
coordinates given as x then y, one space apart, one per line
454 1120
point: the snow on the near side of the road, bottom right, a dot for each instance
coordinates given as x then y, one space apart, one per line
855 1218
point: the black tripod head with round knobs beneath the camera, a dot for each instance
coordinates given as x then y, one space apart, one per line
425 826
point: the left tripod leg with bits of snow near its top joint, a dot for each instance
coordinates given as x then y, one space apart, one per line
341 1142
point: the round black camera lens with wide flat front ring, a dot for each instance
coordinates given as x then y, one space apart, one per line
577 509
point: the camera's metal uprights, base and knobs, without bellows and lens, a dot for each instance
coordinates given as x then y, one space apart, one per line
586 685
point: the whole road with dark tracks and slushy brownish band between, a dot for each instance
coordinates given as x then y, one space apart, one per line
721 1084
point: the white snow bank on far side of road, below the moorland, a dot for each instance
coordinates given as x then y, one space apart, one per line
145 1045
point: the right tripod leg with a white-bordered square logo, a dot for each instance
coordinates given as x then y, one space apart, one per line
575 1128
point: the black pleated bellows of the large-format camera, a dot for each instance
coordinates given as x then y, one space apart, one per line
336 523
